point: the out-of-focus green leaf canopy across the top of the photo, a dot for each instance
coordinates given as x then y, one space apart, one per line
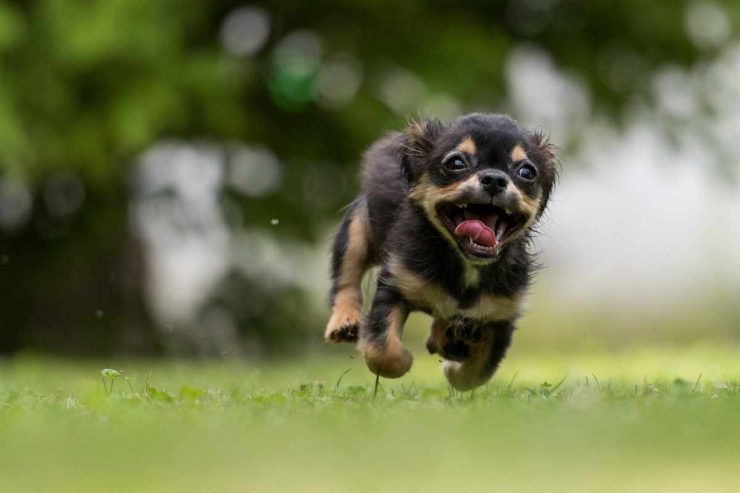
90 85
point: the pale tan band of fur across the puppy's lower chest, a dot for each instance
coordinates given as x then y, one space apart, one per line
434 299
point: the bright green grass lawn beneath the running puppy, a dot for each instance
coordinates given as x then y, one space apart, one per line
638 420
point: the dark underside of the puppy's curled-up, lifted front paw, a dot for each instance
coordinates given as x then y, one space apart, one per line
455 340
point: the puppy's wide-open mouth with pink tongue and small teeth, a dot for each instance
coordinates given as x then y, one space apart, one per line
480 229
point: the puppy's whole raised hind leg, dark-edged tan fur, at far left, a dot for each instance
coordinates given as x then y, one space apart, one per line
350 260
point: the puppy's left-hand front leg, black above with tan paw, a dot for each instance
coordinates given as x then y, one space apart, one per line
380 342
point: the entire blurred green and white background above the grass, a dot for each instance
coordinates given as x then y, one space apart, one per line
171 173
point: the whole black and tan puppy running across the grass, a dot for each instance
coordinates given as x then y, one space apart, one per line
447 212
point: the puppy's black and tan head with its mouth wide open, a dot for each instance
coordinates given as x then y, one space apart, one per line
481 181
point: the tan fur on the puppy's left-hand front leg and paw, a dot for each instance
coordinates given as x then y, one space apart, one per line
392 360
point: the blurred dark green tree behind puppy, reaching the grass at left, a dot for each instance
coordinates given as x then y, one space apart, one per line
88 86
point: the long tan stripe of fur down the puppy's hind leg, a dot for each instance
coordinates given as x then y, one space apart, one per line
346 315
